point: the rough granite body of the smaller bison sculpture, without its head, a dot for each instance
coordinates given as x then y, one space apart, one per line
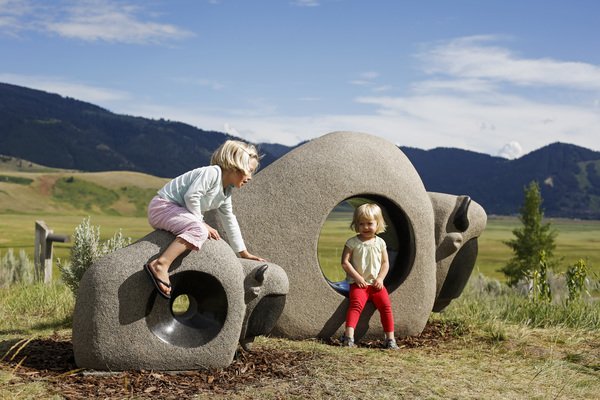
119 318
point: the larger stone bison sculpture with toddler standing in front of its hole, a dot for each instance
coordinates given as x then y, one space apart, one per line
283 209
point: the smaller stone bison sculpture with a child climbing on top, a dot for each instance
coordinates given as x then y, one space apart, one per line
121 323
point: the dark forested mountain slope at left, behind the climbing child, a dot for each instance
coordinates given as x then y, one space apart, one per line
68 133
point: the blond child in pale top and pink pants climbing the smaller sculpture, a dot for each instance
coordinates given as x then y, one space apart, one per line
179 206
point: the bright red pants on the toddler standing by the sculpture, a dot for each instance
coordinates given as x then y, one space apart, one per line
381 299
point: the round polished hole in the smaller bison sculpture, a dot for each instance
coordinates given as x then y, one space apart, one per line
198 318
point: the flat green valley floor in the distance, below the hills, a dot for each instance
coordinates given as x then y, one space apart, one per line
576 239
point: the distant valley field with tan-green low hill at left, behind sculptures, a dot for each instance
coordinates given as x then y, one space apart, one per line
118 200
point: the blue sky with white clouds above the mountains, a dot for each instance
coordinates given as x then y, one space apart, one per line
497 77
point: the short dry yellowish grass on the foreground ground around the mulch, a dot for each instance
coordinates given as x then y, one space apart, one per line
489 360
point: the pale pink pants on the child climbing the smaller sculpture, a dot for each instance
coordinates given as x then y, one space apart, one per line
162 214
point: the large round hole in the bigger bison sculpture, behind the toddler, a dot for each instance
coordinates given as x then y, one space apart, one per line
336 231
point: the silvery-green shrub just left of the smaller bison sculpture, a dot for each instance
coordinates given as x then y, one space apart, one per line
86 249
